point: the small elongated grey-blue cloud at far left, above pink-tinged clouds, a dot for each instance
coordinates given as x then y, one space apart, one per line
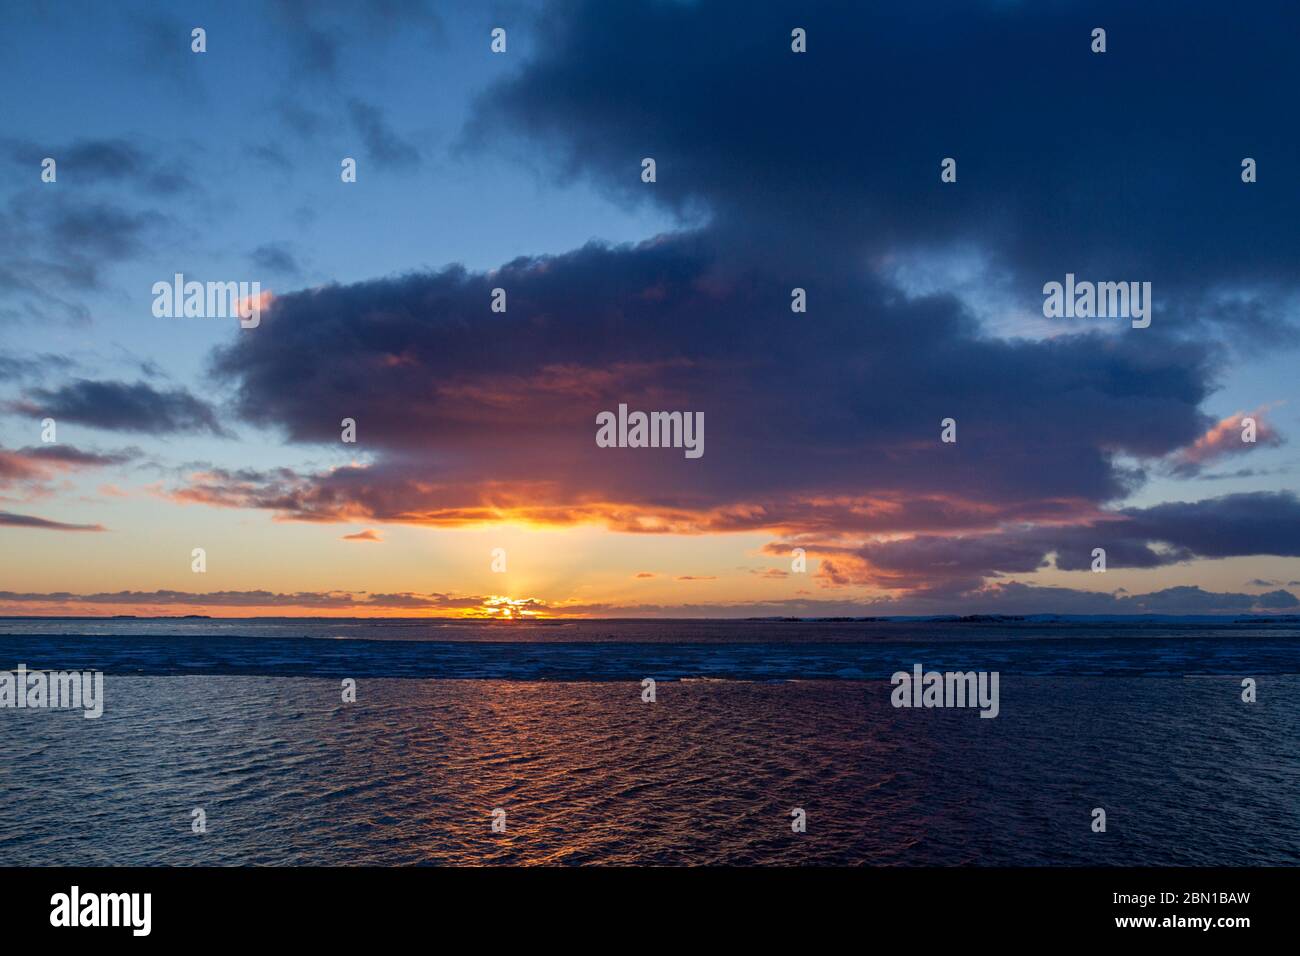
124 408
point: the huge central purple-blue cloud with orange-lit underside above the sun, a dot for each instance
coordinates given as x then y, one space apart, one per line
843 412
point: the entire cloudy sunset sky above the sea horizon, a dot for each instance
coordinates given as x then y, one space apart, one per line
476 486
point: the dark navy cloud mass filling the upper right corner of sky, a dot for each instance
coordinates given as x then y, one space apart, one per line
1068 162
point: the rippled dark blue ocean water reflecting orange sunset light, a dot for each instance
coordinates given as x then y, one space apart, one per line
752 720
